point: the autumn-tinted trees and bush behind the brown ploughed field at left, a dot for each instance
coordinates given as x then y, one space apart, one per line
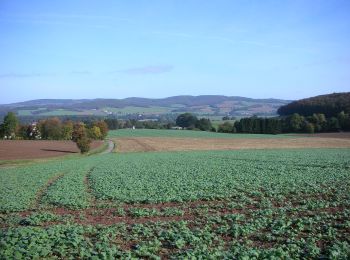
54 129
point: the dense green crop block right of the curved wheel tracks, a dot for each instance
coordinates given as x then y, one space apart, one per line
164 177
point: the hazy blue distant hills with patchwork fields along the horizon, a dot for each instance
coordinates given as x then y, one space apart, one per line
205 105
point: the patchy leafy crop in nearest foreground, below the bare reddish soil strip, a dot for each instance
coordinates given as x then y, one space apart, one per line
258 234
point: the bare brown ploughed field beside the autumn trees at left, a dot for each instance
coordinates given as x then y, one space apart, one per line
28 149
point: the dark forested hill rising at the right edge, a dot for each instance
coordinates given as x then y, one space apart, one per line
330 105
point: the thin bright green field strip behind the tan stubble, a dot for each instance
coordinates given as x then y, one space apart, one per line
185 134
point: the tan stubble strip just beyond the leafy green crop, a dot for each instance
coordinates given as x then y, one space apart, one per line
146 144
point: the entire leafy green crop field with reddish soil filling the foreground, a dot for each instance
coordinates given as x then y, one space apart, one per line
289 204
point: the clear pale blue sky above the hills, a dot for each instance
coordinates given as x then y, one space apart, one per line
117 49
